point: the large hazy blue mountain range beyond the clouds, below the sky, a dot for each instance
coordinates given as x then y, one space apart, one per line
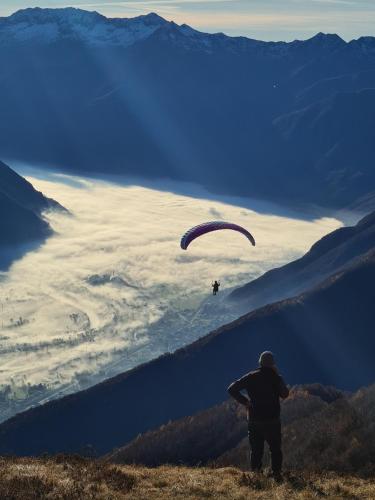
149 98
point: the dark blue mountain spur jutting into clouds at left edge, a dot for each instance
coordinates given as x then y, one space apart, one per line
21 207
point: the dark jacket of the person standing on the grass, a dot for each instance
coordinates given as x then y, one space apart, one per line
264 388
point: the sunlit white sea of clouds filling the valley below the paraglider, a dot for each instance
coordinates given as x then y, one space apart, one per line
112 288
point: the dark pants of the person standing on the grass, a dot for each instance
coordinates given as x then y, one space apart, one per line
269 431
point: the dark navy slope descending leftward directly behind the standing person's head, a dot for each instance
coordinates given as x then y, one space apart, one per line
323 336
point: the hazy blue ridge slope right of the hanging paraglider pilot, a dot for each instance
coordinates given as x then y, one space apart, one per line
327 256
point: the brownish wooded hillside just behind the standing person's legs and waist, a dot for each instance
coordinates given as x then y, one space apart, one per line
323 429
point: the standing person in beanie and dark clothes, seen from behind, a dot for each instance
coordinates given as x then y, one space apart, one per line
264 388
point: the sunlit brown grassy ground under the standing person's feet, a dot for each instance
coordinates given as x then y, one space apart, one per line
75 478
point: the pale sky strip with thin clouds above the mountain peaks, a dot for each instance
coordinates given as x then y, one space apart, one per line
262 19
